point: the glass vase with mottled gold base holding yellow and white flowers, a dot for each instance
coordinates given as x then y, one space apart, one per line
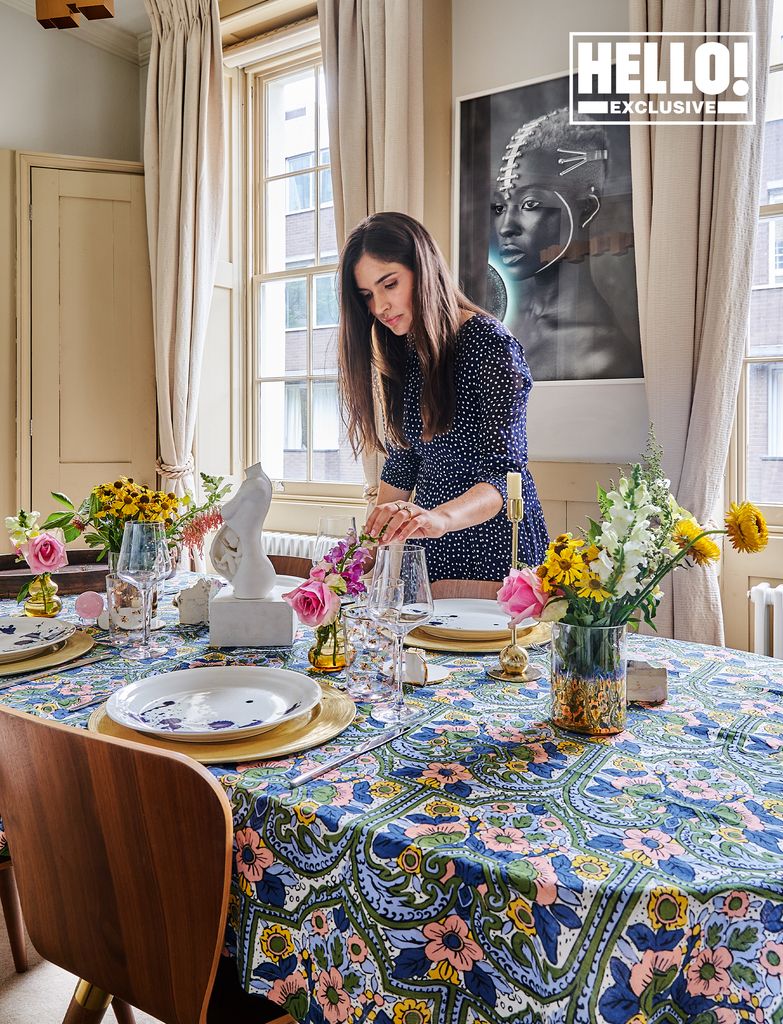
589 667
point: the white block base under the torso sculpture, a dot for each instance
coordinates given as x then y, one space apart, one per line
267 622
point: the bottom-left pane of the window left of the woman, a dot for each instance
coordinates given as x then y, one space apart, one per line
283 430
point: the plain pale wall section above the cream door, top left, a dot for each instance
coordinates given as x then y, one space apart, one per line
63 96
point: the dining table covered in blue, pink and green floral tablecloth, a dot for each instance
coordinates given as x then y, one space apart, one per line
487 867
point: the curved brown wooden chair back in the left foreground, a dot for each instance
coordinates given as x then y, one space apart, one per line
122 857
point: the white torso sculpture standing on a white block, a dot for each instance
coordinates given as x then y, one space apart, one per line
238 551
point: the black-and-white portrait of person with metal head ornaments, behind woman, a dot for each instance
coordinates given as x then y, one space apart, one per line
545 231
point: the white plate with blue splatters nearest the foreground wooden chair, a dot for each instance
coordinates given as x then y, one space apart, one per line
215 703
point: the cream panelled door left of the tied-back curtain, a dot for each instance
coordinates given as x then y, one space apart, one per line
93 365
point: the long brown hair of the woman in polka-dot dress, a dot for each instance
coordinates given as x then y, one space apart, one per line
366 344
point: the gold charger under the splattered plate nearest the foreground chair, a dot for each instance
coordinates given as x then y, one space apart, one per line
329 719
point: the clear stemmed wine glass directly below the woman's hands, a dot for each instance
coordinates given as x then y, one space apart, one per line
400 600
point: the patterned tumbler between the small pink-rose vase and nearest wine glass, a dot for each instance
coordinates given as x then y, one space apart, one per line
369 651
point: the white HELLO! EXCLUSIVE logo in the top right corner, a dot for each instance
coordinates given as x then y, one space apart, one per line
663 77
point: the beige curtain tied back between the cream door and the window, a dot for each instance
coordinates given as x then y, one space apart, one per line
186 177
